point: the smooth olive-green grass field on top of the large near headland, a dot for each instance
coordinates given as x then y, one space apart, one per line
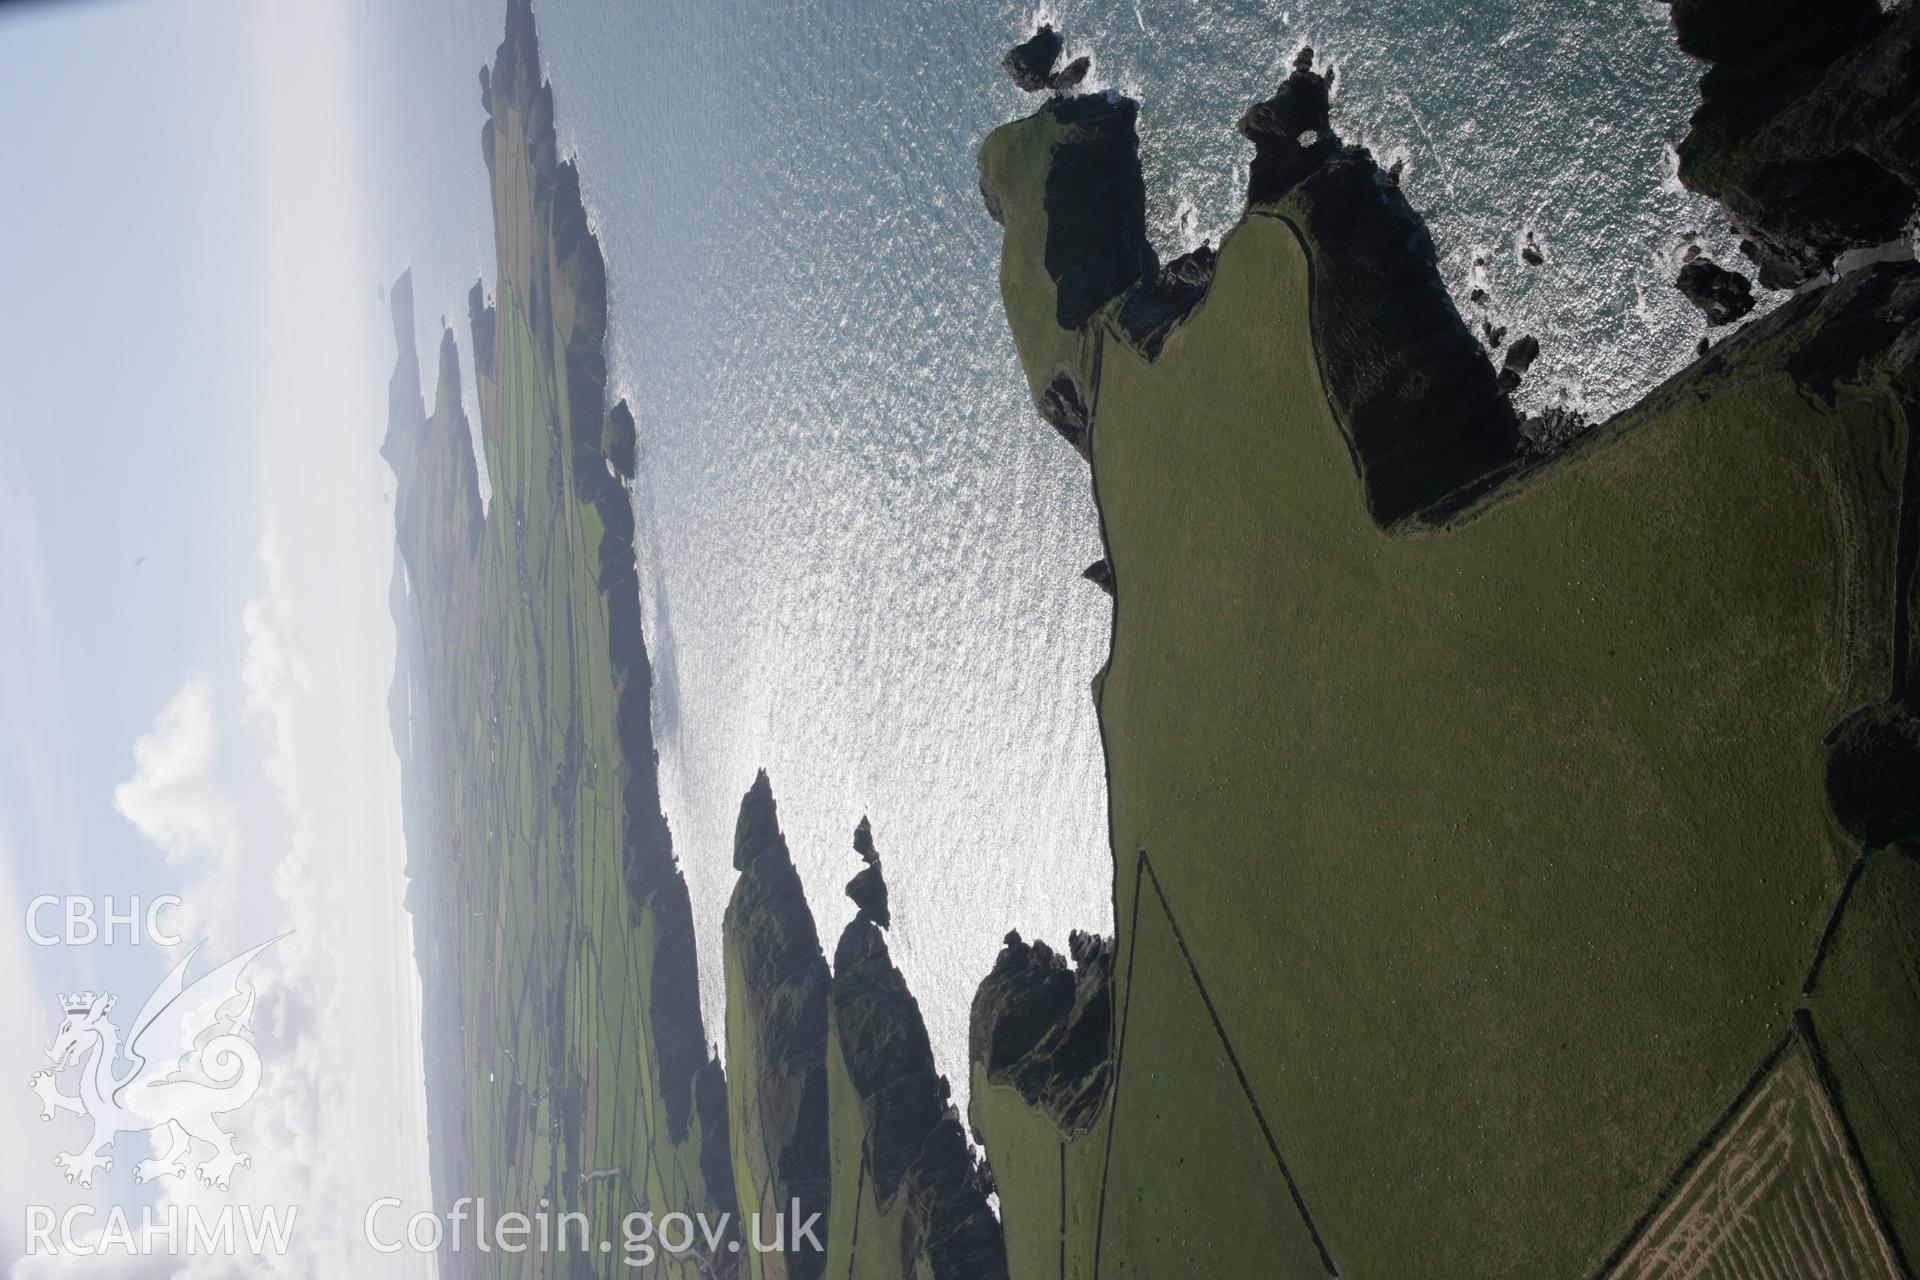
1502 849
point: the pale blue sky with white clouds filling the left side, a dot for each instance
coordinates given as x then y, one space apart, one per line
195 557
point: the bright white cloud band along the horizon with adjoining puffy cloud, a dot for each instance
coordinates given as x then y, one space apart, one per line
339 1120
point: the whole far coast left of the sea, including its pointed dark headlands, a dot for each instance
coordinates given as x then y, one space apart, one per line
569 1066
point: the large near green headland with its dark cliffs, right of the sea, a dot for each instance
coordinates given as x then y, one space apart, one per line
1479 809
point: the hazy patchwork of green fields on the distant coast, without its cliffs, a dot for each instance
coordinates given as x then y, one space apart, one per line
544 913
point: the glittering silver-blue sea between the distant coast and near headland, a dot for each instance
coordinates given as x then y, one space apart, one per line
861 548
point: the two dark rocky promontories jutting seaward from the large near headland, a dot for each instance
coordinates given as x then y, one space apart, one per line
1426 417
